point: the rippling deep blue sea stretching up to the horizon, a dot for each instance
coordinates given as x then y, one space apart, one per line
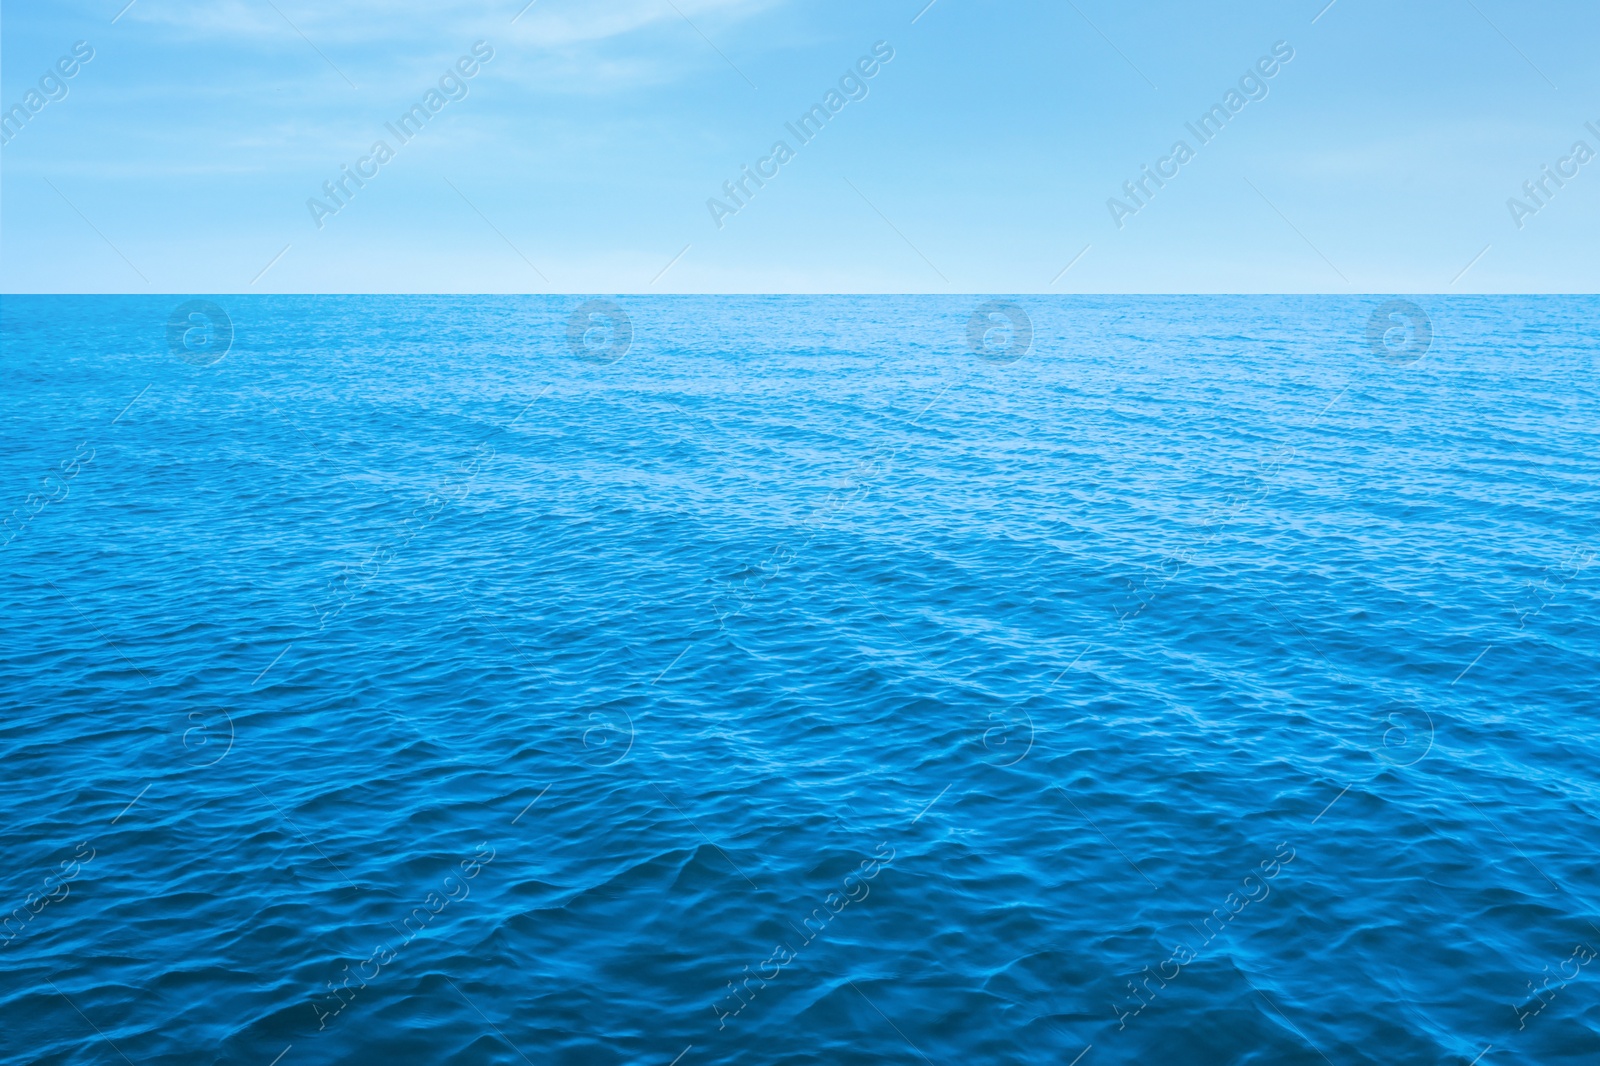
802 687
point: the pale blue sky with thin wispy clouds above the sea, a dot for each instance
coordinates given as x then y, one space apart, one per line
982 158
